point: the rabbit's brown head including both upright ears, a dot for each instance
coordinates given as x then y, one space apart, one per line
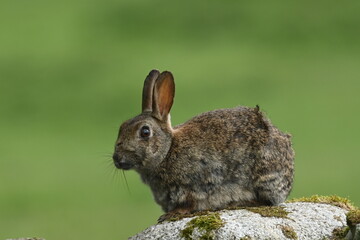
144 141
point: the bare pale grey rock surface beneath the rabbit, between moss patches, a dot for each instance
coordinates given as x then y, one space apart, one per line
303 221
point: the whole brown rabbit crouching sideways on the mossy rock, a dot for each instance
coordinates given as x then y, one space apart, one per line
218 159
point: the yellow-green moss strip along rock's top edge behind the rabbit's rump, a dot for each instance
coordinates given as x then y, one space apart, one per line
332 200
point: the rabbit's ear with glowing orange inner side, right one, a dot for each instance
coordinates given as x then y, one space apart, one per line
163 97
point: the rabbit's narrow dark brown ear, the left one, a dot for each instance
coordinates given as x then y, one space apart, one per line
148 90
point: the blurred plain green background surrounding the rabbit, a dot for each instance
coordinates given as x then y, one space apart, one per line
72 71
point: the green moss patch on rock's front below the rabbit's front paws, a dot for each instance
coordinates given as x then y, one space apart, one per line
206 224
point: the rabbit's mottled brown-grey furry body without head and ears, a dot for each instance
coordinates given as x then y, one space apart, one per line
226 157
